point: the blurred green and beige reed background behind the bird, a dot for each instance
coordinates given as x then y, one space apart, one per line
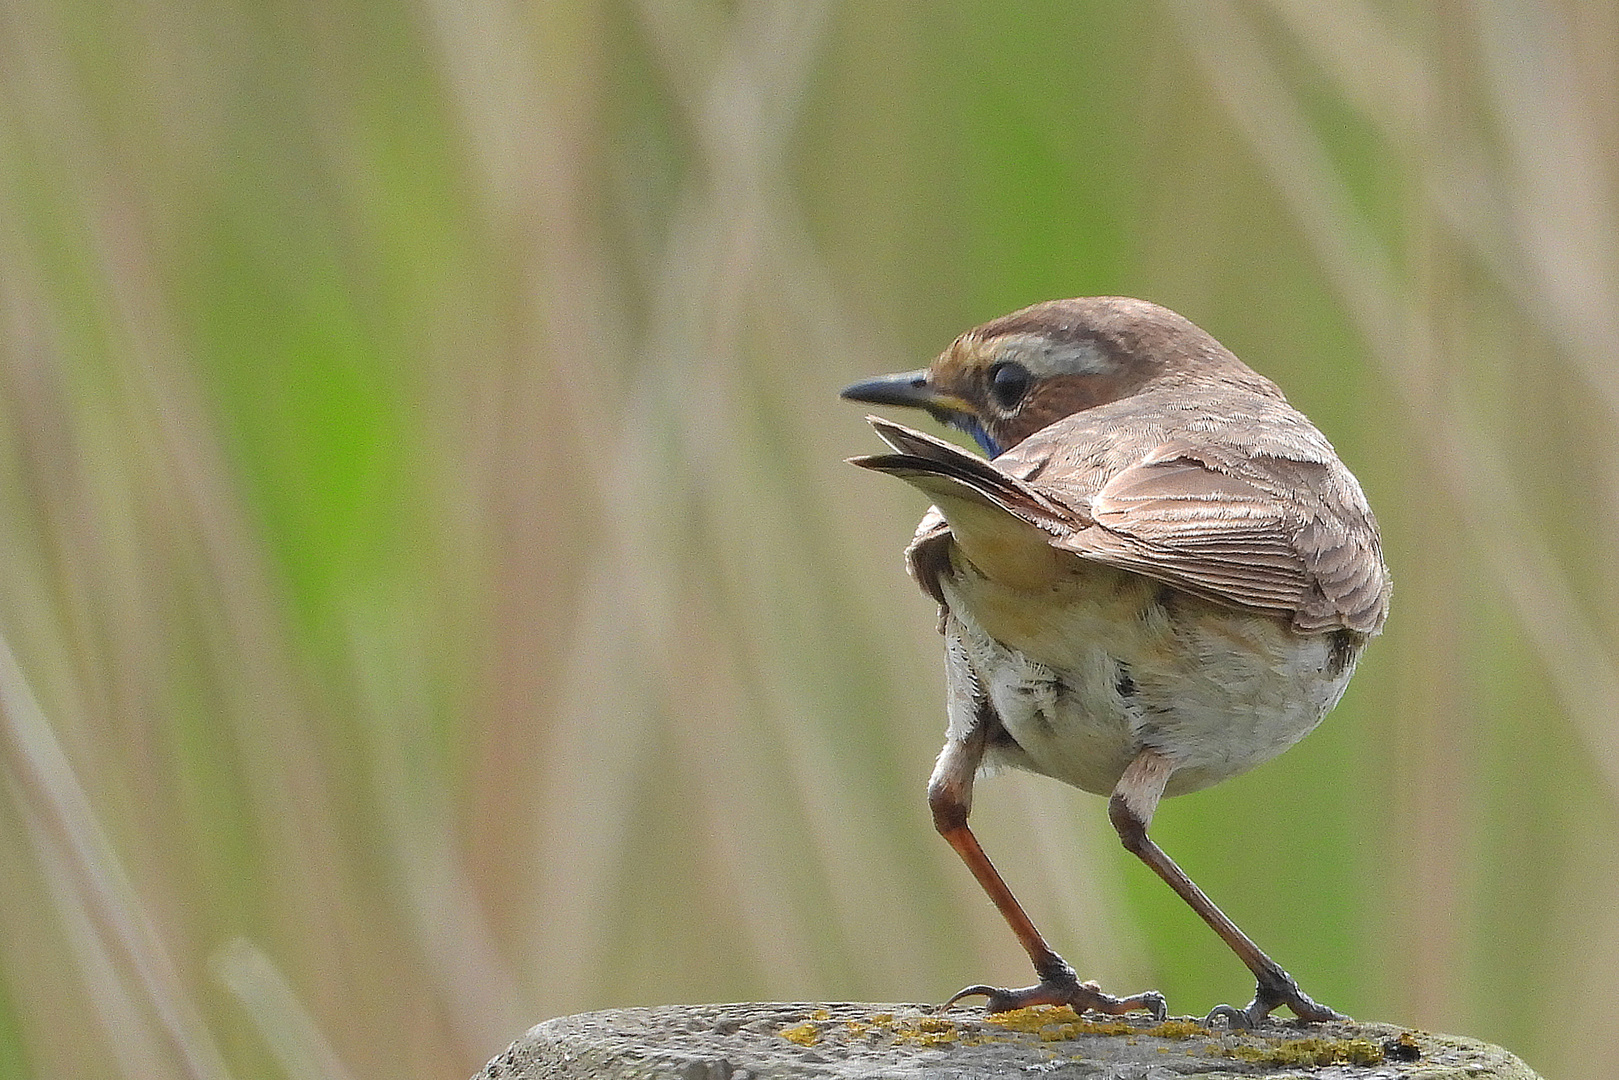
435 600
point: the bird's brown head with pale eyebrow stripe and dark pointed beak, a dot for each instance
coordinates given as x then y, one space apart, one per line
1009 378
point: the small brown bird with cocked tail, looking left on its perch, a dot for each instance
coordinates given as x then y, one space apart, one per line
1163 577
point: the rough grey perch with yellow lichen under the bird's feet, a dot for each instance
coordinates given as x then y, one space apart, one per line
882 1042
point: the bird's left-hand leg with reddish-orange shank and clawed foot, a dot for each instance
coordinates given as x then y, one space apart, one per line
951 797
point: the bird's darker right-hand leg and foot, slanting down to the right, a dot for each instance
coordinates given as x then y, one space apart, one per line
1131 809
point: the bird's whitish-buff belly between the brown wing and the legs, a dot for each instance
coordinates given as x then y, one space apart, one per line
1110 665
